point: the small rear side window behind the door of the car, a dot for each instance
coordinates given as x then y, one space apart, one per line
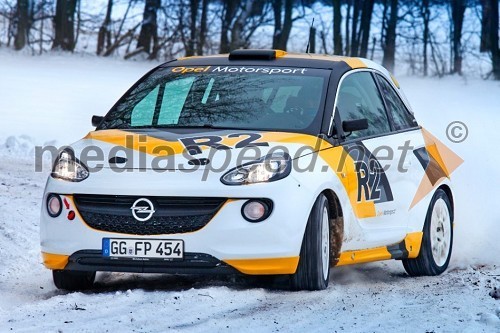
400 115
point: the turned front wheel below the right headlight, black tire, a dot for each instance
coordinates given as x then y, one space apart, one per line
313 270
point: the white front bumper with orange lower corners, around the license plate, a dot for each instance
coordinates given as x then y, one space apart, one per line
227 244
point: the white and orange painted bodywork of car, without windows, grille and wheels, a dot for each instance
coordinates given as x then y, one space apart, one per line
370 229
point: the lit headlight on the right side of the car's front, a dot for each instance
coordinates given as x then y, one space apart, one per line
267 169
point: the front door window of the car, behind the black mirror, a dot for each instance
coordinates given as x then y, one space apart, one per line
359 98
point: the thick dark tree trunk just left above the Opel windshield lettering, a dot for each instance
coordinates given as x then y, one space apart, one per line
148 37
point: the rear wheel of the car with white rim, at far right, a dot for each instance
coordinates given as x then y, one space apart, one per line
437 242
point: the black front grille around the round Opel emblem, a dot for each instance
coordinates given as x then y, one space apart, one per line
173 215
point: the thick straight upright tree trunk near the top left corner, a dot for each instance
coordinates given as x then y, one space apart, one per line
64 25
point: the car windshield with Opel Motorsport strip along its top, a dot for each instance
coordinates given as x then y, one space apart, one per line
235 97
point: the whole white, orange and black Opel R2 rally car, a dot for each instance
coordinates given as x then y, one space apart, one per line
258 162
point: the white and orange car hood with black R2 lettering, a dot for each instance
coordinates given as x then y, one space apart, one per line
167 150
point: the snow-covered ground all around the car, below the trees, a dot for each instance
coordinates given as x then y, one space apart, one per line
53 98
